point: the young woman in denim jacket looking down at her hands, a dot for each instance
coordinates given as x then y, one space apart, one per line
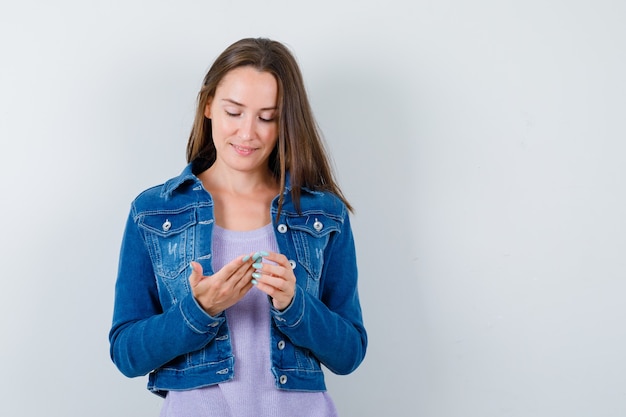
238 278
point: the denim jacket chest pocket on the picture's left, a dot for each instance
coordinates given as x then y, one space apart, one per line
169 238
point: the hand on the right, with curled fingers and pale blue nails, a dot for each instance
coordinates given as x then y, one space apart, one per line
276 280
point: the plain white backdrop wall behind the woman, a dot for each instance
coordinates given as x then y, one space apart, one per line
482 144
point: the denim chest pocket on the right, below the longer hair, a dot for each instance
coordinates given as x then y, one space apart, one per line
310 235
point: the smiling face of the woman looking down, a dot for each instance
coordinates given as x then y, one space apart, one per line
244 118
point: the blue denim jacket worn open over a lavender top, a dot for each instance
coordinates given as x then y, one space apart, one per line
160 329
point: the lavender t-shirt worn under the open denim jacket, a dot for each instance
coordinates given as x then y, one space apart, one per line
252 392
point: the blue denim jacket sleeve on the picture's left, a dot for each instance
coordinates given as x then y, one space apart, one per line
141 334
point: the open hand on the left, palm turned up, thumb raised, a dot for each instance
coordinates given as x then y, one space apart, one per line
223 289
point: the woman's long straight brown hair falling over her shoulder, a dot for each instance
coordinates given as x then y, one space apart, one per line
299 149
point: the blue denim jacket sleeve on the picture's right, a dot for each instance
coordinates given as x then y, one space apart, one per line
330 325
